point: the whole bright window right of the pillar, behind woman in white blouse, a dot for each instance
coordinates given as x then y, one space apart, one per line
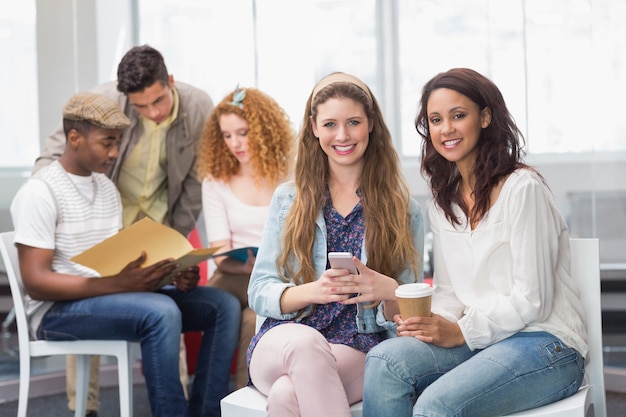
554 61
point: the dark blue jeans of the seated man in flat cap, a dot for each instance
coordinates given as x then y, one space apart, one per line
156 320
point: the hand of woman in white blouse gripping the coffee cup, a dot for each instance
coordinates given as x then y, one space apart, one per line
434 329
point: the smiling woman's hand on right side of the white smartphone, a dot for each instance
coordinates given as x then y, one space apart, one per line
371 286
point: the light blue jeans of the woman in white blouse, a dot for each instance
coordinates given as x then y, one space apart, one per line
406 377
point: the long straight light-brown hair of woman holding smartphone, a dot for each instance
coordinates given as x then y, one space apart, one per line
384 194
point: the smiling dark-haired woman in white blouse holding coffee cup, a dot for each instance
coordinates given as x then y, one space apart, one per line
506 331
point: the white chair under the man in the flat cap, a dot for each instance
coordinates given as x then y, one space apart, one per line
83 349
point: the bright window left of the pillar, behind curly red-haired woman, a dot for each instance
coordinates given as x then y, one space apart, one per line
279 46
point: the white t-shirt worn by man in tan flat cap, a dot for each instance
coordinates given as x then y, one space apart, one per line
65 213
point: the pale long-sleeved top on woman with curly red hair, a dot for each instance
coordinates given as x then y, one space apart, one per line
227 218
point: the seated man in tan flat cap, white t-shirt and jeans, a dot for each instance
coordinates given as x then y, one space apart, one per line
71 205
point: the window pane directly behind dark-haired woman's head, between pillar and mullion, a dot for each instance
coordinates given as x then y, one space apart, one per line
478 34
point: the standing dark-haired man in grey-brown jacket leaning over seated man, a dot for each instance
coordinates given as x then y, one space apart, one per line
155 171
